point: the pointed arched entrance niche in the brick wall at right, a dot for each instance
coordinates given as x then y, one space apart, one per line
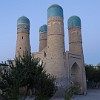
75 74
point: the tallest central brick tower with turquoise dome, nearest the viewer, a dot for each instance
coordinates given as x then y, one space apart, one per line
55 45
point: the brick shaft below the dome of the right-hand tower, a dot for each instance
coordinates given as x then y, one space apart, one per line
75 40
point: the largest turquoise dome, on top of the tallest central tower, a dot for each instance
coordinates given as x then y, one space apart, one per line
55 10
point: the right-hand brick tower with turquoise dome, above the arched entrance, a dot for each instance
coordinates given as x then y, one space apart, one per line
75 38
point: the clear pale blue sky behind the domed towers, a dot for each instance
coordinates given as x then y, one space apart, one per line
36 11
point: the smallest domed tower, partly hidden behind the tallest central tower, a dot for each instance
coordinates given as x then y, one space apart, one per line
43 37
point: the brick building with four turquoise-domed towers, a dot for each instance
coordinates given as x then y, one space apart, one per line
67 66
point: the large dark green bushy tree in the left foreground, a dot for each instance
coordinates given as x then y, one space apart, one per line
27 73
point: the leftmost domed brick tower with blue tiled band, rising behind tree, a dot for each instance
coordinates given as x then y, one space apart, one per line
23 39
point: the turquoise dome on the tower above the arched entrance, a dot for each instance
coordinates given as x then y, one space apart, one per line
74 21
